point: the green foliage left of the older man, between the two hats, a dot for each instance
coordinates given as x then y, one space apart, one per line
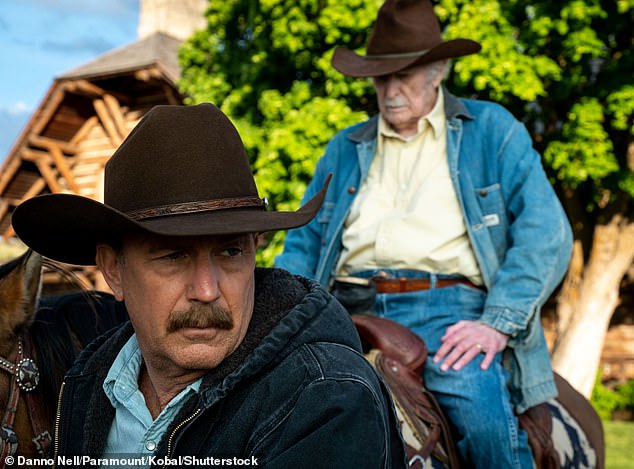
266 63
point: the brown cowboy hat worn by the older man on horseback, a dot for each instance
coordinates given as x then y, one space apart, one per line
406 32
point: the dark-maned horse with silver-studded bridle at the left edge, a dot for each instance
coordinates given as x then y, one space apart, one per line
40 337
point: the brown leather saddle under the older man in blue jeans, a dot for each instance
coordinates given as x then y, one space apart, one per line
399 357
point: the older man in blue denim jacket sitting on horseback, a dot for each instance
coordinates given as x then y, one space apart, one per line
440 207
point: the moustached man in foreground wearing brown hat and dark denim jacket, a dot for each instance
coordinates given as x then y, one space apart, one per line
221 361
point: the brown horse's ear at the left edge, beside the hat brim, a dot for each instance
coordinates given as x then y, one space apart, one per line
20 283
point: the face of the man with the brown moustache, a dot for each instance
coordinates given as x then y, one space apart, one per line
190 299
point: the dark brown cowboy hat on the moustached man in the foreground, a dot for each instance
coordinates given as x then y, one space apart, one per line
182 171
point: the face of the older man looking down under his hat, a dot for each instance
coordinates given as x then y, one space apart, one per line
406 96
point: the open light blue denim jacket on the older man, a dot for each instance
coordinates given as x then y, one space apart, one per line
518 229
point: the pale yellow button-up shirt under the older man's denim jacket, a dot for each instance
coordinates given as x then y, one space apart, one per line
407 214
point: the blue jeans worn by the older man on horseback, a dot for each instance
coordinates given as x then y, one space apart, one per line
476 402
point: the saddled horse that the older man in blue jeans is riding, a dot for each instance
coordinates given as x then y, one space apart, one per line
565 432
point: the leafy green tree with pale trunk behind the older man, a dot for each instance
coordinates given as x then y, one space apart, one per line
564 68
